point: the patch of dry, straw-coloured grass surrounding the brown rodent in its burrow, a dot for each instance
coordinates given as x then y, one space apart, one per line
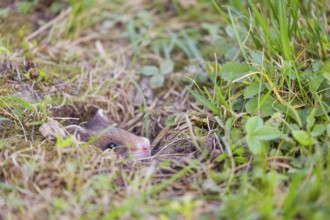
86 67
